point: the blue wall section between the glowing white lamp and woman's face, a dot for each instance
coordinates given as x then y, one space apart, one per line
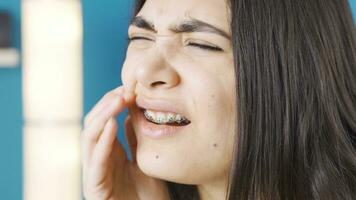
105 41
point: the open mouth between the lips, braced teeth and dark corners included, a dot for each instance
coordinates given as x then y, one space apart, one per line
164 118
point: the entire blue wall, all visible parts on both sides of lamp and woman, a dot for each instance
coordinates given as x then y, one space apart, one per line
105 30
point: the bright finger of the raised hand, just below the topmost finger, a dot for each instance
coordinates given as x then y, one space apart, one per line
93 131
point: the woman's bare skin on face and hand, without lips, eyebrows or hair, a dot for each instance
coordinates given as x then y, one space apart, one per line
164 64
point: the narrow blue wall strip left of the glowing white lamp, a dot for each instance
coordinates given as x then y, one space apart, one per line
11 117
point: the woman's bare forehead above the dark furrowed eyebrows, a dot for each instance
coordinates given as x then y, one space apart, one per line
164 13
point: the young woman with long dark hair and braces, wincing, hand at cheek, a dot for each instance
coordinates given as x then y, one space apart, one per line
237 100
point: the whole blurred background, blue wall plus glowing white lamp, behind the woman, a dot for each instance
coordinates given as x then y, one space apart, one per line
26 123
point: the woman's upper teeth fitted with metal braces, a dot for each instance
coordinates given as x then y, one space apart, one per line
162 118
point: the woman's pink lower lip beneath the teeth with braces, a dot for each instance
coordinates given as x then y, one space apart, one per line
155 131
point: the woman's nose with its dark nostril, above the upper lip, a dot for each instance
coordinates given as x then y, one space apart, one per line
157 73
